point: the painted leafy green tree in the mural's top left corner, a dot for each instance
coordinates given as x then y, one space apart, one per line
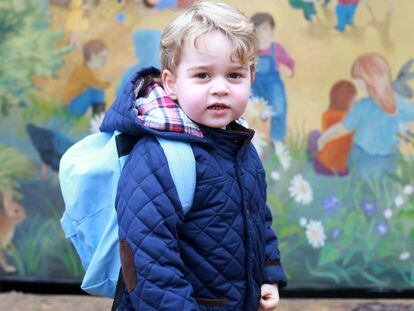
28 48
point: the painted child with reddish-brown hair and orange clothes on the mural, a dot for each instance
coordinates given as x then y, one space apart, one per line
333 158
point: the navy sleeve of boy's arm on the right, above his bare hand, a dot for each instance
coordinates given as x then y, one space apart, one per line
273 271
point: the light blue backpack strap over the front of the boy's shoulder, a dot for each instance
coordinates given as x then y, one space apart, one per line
182 166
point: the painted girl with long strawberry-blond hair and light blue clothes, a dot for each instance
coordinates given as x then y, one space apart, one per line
375 120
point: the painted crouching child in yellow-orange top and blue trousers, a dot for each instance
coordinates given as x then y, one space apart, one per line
84 89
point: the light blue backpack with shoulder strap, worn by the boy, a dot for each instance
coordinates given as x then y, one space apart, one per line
88 174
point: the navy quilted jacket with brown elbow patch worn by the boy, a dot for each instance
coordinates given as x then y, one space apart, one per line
218 255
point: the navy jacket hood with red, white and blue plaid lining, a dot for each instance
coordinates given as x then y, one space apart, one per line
143 108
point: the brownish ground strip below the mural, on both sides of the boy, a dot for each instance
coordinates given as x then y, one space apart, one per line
17 301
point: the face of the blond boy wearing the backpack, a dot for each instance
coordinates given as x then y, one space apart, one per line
211 89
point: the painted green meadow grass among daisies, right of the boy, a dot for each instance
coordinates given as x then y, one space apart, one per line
361 249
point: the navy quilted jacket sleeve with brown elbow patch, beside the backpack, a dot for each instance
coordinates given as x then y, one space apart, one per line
149 217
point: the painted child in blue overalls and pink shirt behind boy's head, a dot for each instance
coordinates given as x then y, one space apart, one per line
268 83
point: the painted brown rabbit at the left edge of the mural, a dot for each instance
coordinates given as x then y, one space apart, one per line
13 214
